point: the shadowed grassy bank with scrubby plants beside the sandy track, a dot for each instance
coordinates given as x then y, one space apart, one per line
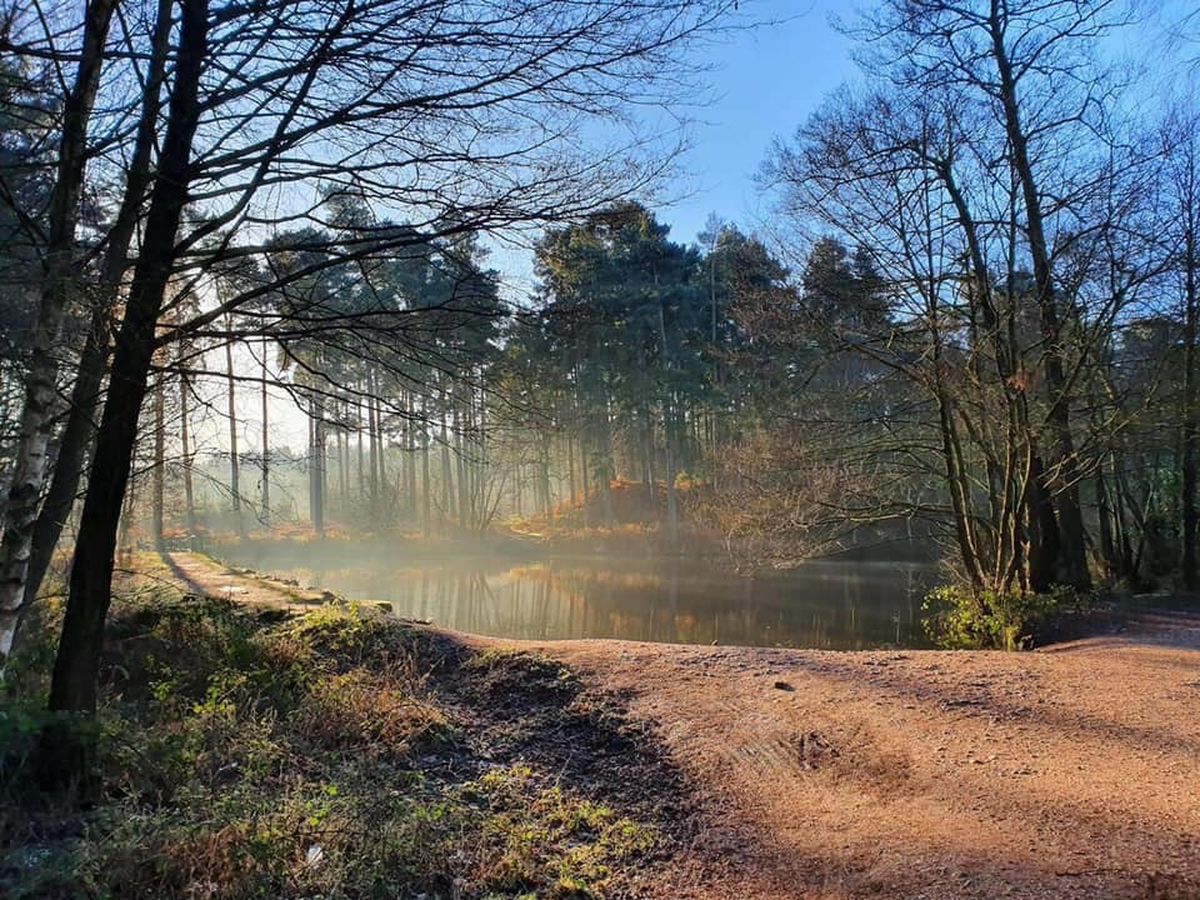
260 753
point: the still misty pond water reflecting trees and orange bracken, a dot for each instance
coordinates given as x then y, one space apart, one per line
823 605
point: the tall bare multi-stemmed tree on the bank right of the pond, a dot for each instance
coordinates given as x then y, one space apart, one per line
986 183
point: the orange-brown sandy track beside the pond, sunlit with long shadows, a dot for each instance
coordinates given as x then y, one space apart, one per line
1071 772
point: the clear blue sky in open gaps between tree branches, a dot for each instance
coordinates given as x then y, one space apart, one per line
767 80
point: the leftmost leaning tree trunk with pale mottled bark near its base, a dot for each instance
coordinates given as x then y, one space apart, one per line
38 413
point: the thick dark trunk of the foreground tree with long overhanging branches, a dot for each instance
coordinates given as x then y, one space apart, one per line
67 752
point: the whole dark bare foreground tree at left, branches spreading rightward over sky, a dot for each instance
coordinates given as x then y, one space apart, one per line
458 117
